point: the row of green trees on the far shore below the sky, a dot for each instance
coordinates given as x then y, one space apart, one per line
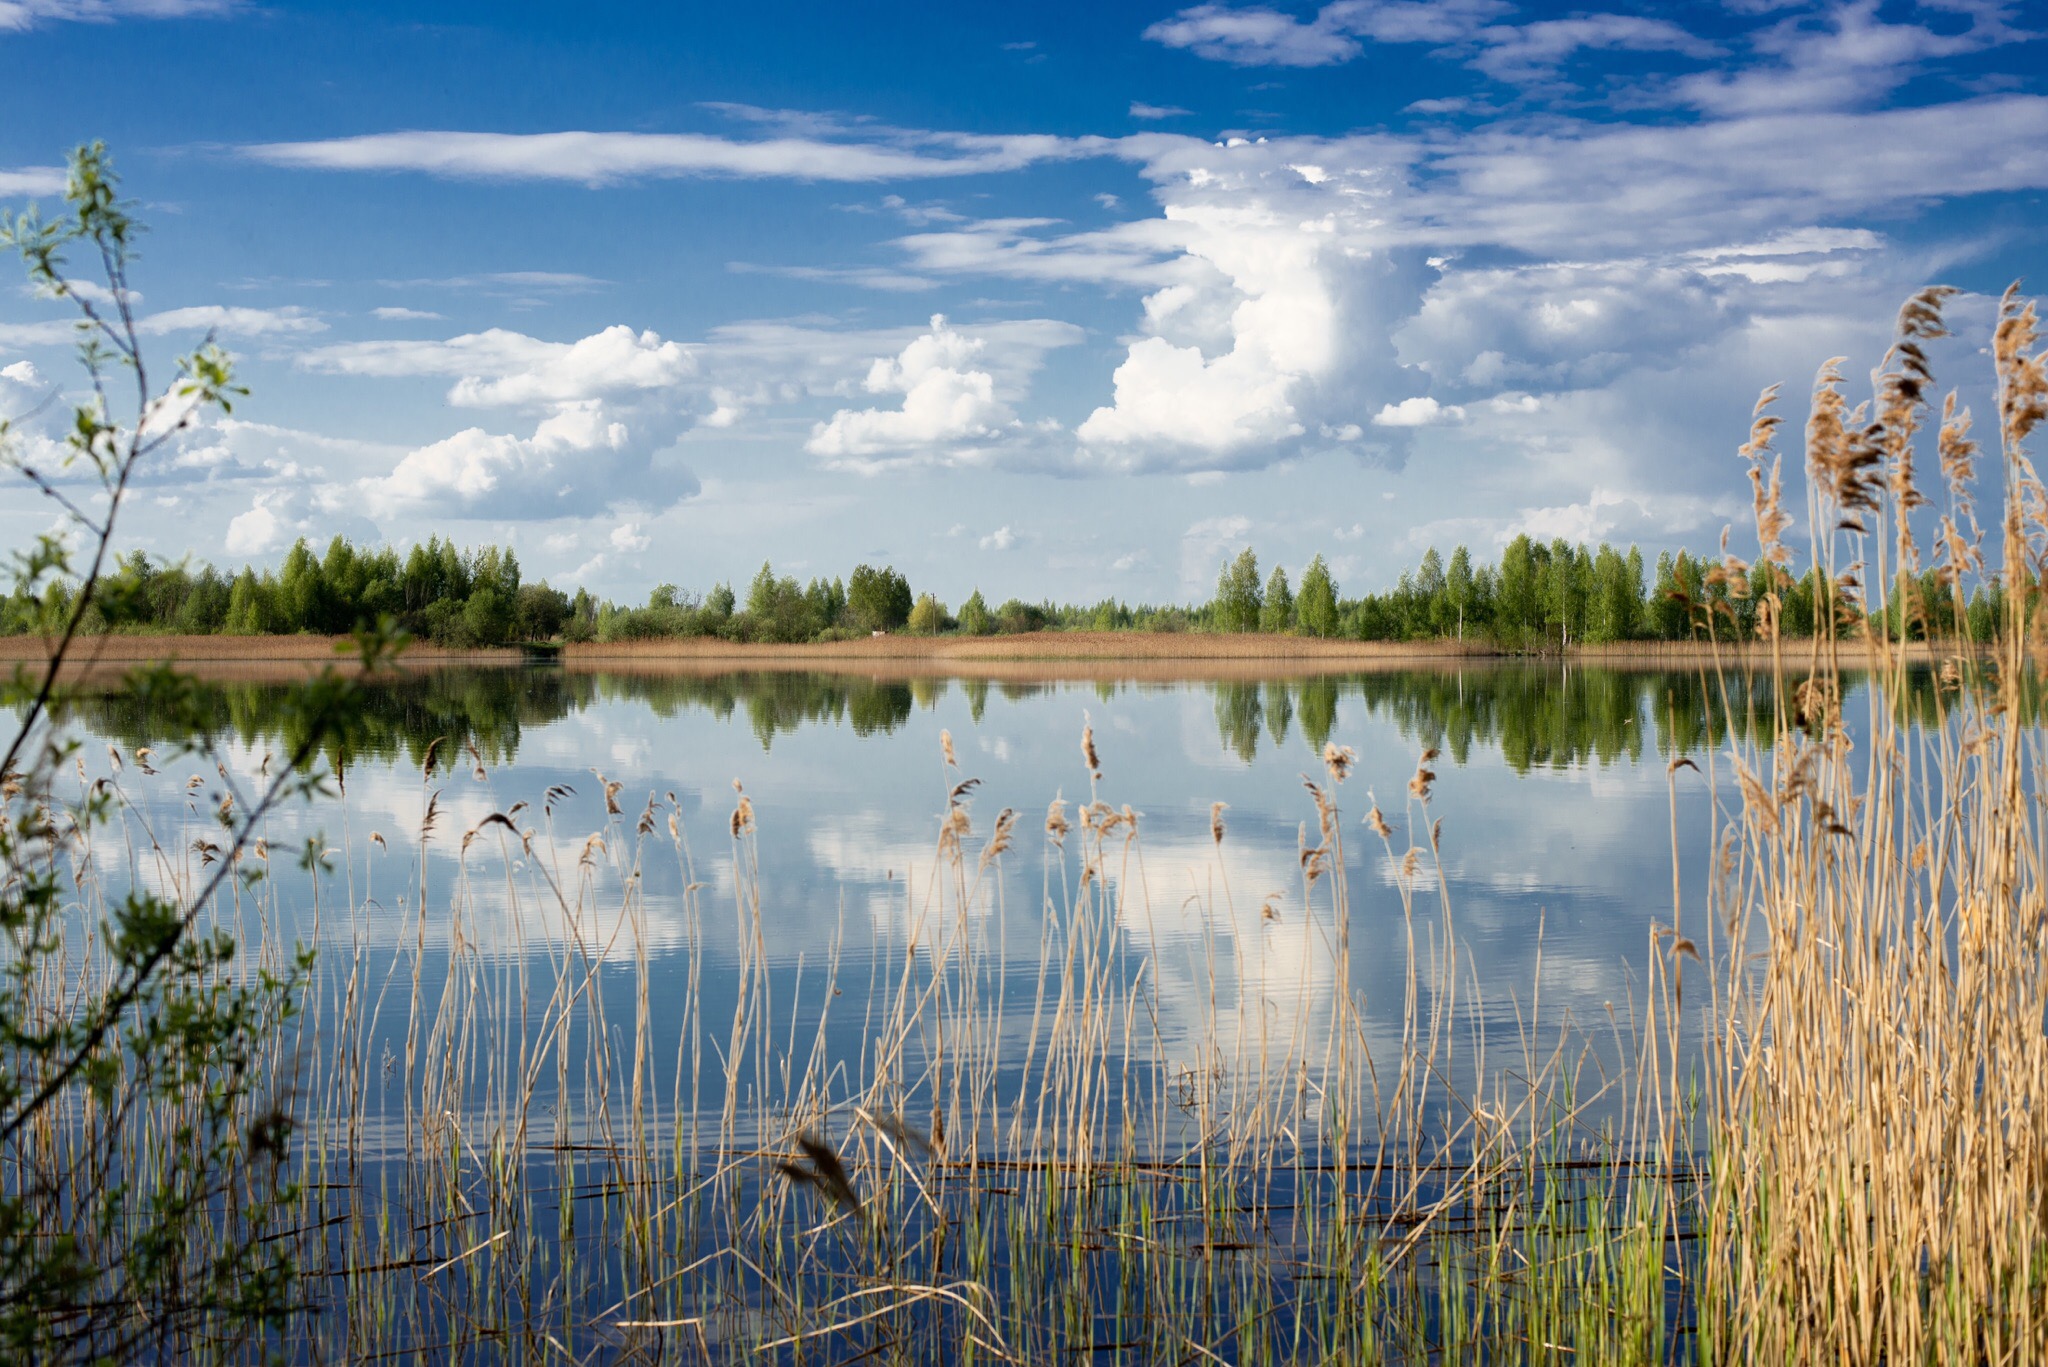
1539 595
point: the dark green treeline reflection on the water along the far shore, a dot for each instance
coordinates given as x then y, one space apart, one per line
1533 716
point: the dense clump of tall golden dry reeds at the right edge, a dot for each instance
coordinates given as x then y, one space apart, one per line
1881 1071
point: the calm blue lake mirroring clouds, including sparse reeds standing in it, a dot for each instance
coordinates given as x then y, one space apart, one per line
617 968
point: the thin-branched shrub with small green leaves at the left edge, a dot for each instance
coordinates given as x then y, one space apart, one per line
146 1116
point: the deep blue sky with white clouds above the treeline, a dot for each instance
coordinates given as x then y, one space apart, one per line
1041 300
